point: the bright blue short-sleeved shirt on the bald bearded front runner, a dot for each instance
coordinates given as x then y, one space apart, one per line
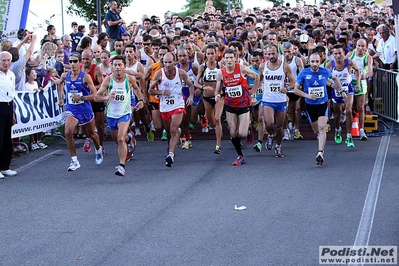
315 83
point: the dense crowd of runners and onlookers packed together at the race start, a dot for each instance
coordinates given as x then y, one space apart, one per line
260 70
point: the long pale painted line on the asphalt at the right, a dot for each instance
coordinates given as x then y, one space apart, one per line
370 203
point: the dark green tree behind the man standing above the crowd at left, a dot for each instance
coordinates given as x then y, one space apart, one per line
87 9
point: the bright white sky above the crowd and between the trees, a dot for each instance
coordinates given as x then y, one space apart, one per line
37 17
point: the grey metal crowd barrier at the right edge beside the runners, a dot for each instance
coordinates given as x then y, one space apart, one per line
386 94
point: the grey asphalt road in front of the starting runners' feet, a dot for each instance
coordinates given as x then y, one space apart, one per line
185 215
